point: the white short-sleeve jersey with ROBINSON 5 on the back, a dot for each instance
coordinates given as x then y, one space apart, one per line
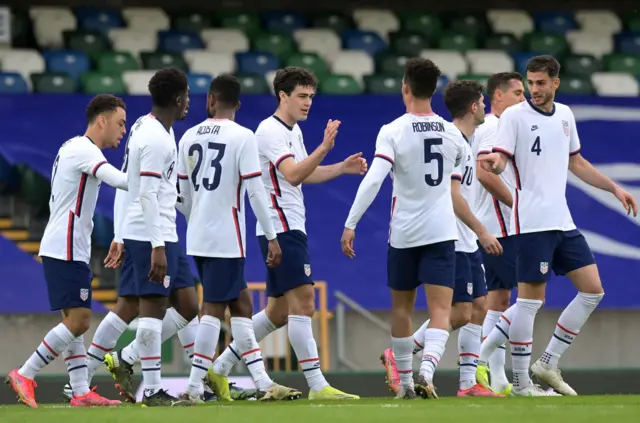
424 150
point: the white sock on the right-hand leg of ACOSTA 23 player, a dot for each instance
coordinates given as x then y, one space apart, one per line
249 350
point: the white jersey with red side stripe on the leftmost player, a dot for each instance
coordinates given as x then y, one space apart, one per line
74 194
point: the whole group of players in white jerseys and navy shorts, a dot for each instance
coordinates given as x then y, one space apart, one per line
478 209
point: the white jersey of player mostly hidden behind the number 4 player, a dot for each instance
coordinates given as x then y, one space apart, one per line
494 215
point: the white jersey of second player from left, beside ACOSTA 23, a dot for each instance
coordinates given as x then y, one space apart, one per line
150 167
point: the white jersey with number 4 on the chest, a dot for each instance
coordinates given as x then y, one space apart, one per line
539 145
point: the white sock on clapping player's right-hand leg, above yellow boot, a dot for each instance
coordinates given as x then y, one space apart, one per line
301 338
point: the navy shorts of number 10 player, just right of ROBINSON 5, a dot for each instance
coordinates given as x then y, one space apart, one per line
470 282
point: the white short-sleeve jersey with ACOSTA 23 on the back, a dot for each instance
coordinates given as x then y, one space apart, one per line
216 156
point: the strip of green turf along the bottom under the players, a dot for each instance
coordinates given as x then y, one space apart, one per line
586 409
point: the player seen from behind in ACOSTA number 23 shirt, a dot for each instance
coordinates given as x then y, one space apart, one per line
218 163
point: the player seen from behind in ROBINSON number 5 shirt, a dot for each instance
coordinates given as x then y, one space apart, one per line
421 150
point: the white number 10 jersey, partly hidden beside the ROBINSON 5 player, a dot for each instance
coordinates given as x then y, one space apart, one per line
465 173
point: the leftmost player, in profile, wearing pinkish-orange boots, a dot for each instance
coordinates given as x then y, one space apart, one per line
78 170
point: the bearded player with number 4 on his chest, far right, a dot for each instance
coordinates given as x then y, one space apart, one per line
541 140
